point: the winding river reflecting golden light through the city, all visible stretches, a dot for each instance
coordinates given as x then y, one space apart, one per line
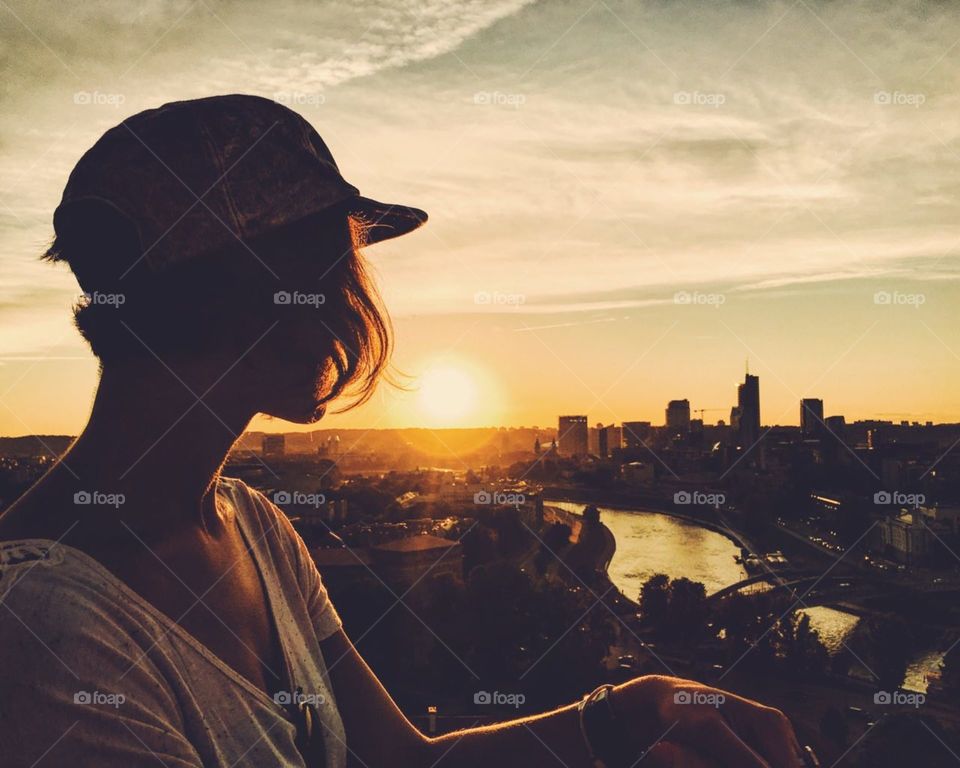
652 542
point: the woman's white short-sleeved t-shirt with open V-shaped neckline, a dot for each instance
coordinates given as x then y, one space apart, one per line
93 675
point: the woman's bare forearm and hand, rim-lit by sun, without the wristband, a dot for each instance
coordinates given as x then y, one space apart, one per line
689 724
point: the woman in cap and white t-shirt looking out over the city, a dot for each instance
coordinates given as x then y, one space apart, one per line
156 611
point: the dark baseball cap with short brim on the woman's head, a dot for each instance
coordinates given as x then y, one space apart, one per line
193 177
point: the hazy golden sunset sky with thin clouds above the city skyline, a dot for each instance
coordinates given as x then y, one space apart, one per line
628 200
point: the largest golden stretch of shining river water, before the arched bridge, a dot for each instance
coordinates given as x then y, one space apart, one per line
650 542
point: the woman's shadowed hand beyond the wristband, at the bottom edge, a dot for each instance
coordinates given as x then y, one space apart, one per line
716 725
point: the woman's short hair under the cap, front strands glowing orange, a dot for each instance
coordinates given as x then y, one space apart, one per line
195 308
